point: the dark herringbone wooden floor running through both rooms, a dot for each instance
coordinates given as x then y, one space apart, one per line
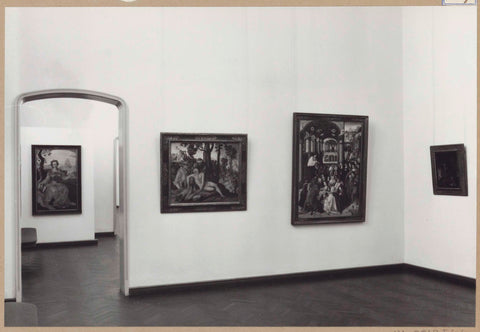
80 287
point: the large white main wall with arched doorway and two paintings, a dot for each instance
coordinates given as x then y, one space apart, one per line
229 70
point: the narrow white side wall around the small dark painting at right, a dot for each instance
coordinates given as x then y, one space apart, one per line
439 72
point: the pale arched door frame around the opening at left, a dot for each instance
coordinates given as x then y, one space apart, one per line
121 212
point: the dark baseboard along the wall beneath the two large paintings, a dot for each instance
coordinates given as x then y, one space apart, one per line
329 274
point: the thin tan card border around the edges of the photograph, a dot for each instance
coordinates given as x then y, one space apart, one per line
321 3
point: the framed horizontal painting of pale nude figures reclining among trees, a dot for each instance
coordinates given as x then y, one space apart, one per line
203 172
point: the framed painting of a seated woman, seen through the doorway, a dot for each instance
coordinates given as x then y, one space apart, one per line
56 179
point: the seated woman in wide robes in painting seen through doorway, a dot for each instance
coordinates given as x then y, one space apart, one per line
52 193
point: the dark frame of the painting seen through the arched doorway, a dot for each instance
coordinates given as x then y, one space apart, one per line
78 209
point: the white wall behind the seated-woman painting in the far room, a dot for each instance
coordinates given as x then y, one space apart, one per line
59 228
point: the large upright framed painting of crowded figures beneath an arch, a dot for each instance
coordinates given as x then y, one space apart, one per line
329 168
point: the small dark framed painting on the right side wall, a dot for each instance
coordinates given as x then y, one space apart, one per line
449 170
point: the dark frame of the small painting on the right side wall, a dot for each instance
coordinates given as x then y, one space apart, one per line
459 149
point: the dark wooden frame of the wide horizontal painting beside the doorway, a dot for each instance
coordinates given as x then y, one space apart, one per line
165 141
